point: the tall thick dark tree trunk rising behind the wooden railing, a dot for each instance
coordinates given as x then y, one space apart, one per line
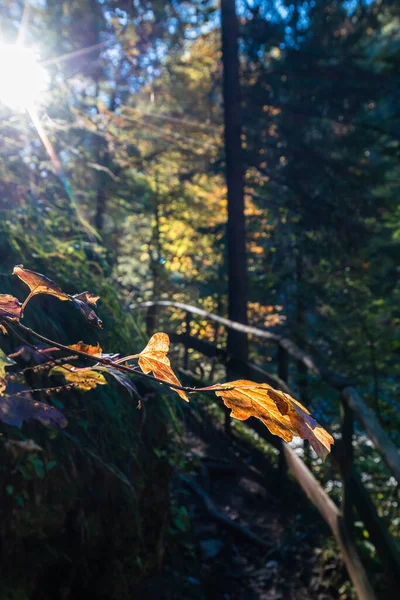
236 240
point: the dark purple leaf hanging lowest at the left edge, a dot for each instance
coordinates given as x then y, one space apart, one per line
18 406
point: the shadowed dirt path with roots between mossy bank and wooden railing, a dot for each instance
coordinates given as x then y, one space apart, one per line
212 561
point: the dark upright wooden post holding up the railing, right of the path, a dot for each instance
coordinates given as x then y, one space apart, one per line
347 422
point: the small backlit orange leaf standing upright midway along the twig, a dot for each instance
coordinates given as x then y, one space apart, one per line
154 358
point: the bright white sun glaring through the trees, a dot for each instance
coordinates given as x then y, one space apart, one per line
22 79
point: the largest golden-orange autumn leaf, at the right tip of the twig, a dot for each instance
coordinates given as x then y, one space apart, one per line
283 415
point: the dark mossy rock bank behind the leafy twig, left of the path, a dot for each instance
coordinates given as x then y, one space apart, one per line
86 515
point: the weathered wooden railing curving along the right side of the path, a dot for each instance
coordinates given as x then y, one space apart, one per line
355 497
